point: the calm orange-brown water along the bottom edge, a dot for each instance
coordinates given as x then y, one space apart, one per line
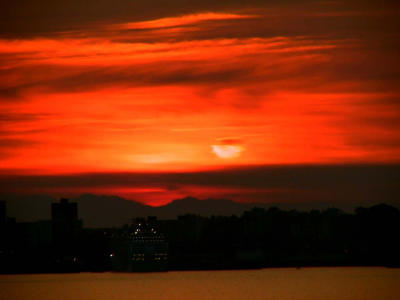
282 284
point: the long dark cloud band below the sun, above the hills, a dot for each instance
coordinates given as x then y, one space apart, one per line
355 184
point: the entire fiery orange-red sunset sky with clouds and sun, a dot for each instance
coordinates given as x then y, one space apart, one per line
154 100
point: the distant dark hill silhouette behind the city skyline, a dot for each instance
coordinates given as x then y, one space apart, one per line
113 211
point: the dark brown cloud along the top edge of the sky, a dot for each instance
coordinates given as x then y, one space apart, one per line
24 18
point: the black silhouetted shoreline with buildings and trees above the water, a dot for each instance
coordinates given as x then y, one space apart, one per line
259 238
